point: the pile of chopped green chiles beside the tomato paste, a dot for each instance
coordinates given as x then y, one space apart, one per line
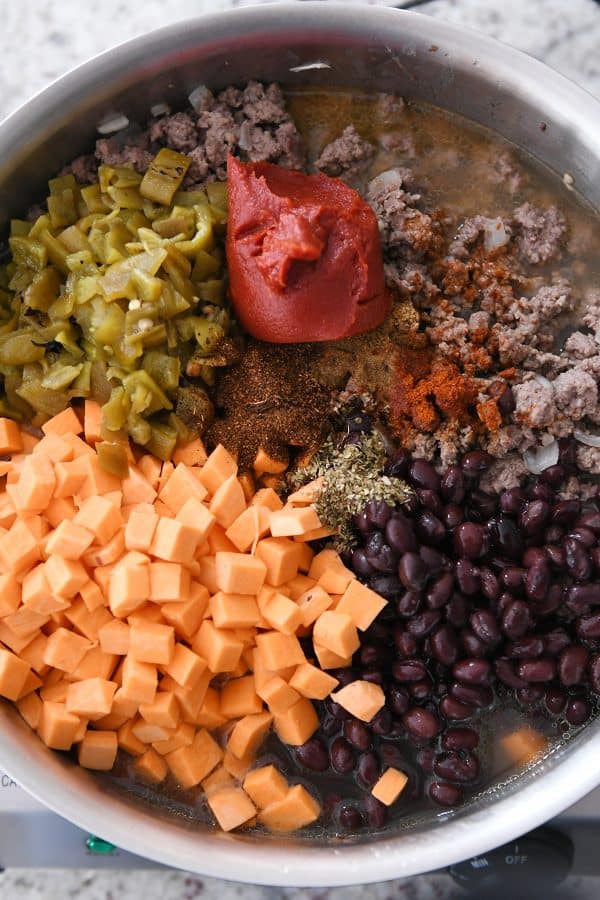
116 292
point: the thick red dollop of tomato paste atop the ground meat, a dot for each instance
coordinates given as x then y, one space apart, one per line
304 255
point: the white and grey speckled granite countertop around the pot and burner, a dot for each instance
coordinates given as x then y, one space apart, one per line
42 39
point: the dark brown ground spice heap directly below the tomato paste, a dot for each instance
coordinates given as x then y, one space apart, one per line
271 400
